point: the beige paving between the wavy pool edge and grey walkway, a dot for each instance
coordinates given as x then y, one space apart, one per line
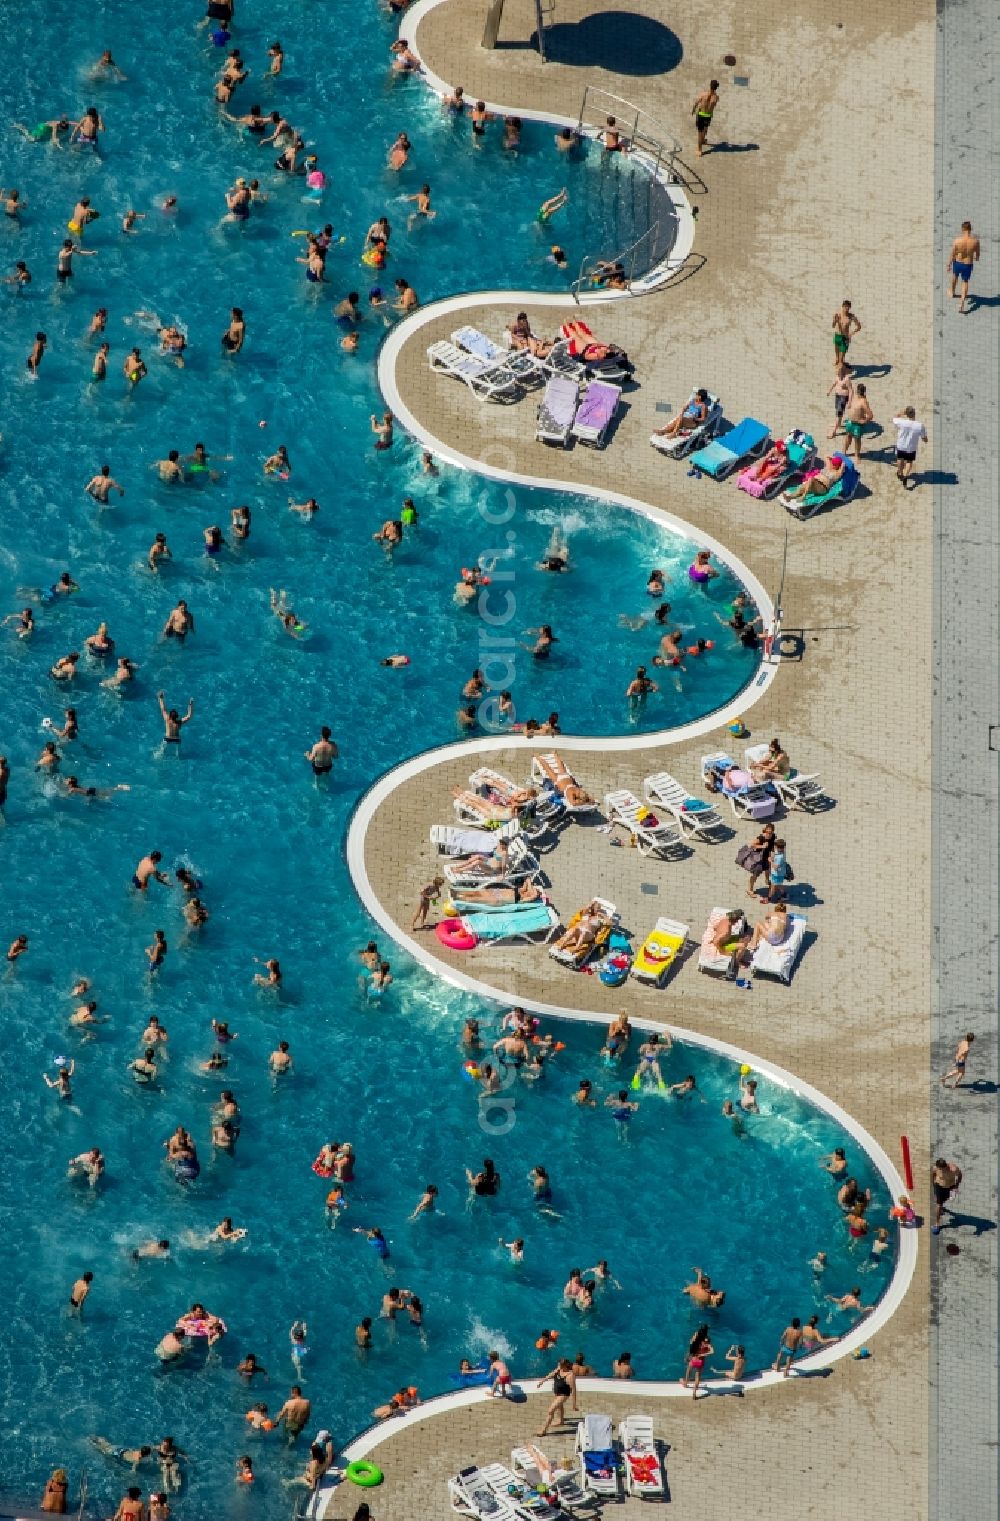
844 116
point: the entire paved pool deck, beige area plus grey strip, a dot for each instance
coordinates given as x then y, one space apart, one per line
823 188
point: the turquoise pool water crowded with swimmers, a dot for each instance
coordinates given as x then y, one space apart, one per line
241 808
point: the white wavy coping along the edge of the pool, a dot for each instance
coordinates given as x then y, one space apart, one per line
371 1440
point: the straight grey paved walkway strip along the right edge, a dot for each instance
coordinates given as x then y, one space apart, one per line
964 1478
